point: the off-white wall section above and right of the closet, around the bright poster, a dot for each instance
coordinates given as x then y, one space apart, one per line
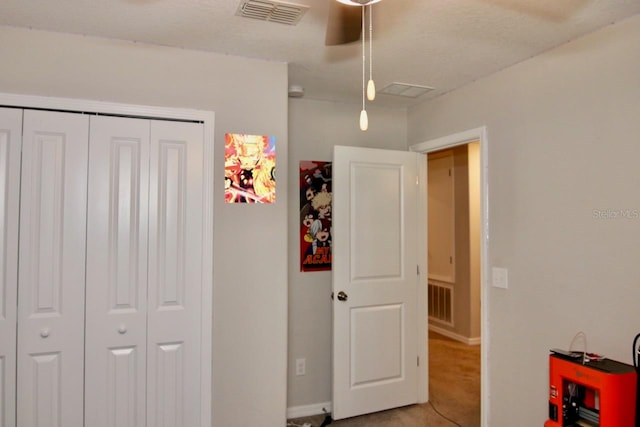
250 250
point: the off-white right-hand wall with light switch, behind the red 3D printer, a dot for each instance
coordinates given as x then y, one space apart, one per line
563 153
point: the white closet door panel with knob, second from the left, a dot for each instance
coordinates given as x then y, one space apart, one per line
51 270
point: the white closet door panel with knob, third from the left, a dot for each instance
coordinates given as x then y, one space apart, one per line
117 272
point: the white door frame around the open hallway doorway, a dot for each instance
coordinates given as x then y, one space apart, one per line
449 141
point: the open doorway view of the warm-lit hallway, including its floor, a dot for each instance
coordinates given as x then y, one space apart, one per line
453 281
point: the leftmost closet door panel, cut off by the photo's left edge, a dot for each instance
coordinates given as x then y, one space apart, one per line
10 141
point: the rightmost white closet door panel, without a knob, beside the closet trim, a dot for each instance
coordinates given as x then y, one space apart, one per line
175 263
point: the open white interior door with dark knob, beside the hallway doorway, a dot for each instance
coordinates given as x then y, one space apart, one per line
375 280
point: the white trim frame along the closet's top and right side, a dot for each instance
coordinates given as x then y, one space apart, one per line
152 112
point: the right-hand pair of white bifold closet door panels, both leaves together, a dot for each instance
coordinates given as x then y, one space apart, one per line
144 273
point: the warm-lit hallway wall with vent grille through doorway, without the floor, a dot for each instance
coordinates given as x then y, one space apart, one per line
453 223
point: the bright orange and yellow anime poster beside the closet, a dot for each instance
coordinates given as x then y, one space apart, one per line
249 168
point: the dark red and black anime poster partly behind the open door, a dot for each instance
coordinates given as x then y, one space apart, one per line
315 216
